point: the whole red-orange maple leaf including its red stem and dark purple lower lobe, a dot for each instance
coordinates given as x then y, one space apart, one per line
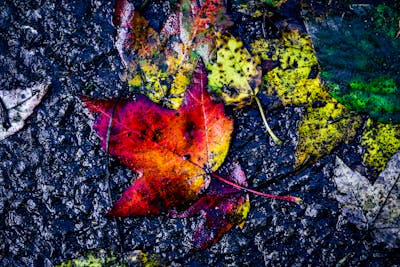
176 152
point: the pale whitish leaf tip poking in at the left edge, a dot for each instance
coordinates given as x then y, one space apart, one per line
17 105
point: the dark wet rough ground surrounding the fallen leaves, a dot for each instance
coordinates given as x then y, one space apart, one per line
54 185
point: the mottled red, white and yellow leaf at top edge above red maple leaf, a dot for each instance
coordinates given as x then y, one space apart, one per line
160 65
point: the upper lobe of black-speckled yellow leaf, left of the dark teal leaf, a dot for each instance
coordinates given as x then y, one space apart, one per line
293 81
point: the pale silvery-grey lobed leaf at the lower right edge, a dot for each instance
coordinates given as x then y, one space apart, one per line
371 207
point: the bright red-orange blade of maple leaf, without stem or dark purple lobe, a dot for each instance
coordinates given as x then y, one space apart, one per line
174 151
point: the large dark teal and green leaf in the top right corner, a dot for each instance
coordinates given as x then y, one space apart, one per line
360 58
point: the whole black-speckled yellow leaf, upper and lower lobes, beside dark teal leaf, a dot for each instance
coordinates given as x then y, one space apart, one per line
296 82
